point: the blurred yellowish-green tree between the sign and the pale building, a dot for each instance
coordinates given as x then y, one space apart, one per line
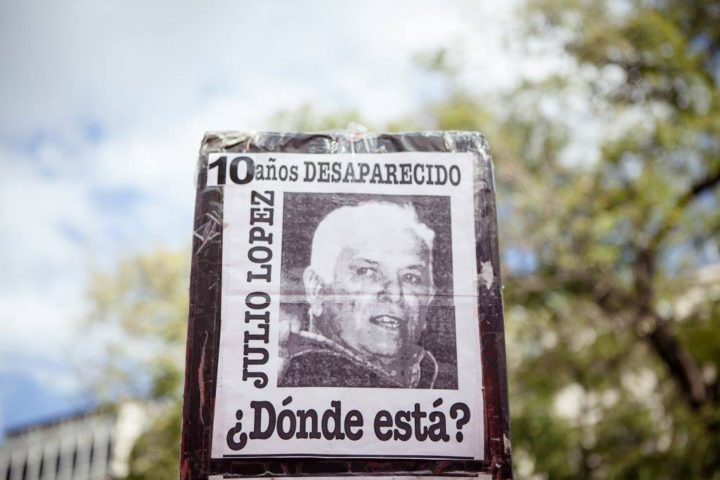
141 308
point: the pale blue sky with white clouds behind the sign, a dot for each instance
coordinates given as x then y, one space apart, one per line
103 105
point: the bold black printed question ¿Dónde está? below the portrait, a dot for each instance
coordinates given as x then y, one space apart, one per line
336 424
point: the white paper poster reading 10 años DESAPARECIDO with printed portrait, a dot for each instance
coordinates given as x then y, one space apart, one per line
365 295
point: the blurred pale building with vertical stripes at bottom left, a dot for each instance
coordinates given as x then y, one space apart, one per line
92 445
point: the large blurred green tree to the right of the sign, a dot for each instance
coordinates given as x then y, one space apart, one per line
613 316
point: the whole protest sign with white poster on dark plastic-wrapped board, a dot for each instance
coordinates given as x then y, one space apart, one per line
345 304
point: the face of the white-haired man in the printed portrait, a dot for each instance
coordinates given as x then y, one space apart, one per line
378 298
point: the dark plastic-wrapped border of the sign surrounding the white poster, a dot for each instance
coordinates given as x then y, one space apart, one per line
204 315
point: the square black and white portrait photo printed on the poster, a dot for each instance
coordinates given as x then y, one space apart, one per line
367 289
